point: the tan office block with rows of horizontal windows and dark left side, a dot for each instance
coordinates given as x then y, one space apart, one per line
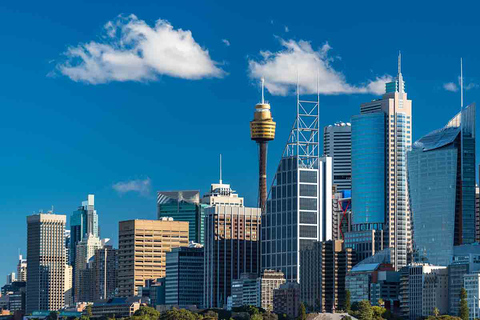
142 248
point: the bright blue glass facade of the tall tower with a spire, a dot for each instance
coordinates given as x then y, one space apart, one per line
368 169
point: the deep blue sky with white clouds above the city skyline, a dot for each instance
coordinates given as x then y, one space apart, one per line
152 121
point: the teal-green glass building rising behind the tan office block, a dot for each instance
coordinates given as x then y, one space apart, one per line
183 206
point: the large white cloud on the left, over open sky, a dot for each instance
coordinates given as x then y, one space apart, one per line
134 51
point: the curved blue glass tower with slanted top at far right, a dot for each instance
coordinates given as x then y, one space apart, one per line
441 173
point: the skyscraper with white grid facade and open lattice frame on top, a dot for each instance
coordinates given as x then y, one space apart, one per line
299 210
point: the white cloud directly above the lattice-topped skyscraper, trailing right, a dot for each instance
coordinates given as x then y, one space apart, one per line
280 70
